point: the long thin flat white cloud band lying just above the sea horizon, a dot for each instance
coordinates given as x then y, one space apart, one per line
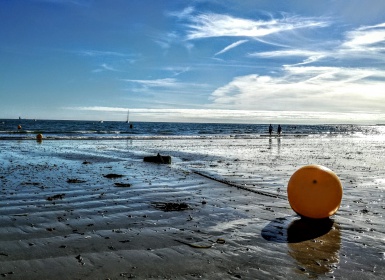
231 116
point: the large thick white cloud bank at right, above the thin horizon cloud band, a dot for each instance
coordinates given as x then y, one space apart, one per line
334 89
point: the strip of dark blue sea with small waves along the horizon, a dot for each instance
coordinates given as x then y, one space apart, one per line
28 129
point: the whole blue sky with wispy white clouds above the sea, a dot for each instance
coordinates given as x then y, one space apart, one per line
249 61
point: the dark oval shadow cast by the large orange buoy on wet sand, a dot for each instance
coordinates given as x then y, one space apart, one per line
294 229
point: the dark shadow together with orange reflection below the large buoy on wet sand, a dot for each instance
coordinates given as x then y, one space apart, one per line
314 245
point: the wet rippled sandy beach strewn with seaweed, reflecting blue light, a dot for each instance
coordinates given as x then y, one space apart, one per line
94 210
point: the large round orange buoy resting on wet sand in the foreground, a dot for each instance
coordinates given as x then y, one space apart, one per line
314 191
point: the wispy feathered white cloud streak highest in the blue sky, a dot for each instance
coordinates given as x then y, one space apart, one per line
218 25
